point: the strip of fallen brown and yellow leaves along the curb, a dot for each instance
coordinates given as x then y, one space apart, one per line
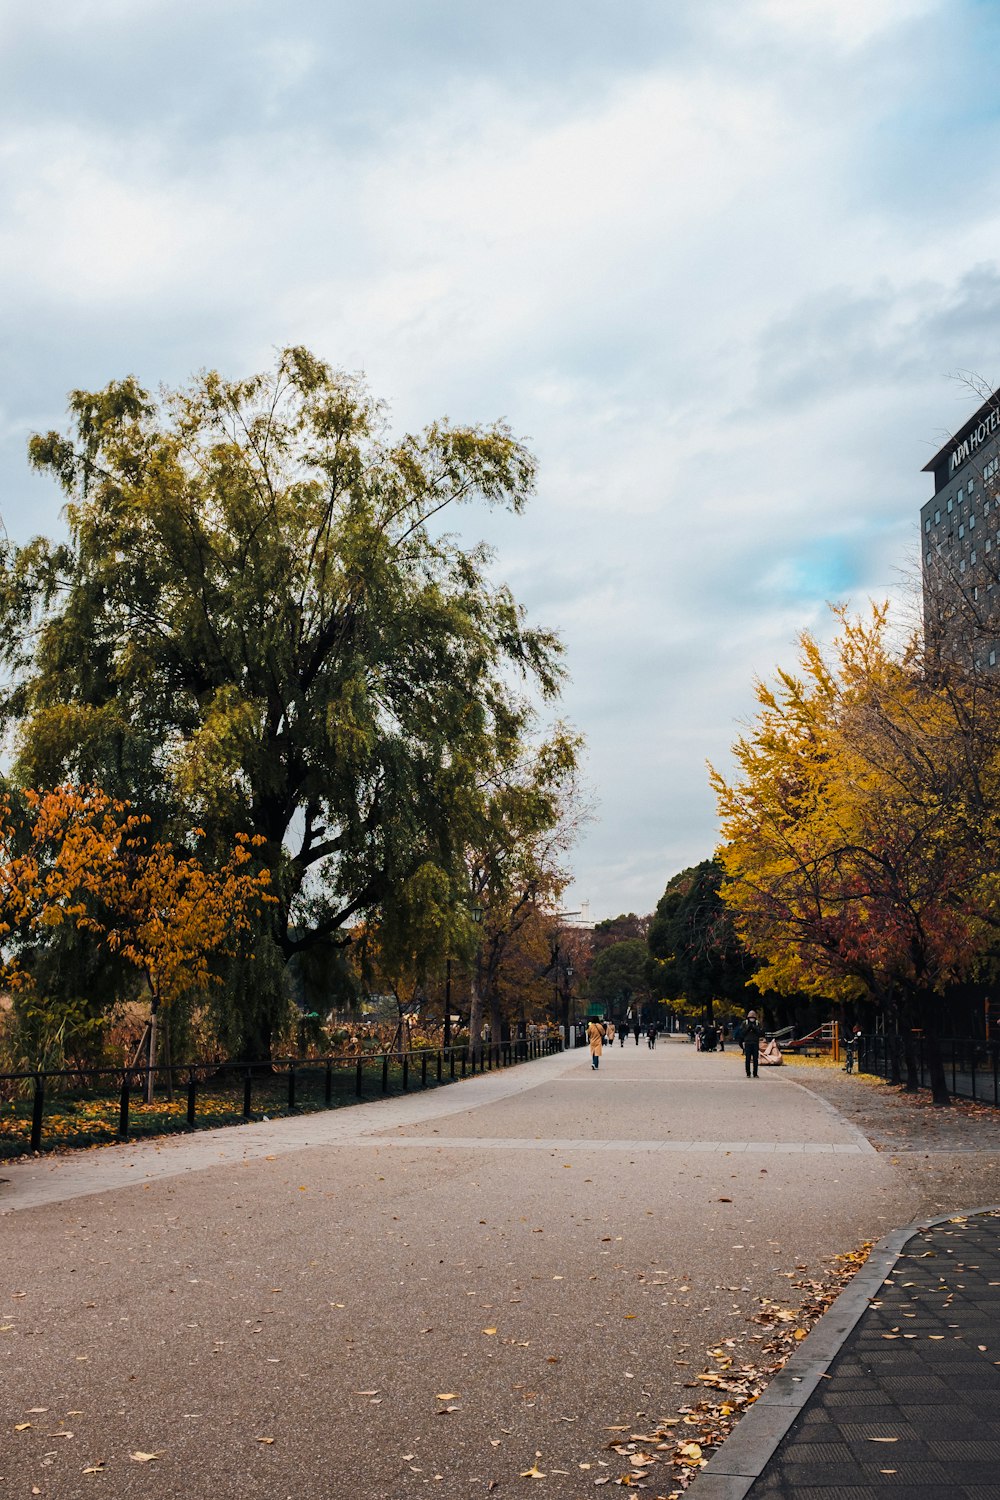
686 1442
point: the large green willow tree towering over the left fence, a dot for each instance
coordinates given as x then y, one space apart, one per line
260 625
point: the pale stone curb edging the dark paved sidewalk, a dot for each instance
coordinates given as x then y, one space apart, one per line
734 1469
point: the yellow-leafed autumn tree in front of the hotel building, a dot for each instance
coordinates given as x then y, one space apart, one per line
861 832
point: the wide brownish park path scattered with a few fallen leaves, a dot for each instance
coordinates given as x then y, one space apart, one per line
442 1292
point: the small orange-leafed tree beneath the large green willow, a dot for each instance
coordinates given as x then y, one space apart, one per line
82 857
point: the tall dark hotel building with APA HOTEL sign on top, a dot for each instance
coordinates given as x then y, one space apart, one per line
960 533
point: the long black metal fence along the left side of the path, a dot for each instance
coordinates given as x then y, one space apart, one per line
79 1108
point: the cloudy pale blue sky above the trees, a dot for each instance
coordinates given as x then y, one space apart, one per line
726 266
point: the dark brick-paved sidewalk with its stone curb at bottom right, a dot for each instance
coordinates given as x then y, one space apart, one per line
909 1405
